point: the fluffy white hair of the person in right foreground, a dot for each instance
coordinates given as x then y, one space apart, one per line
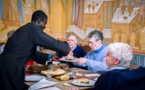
122 52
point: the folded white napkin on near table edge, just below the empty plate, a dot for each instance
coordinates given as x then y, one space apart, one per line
42 83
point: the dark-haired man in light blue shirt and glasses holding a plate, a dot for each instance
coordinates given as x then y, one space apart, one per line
95 59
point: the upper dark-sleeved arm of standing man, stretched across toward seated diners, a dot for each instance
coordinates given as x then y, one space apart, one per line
46 41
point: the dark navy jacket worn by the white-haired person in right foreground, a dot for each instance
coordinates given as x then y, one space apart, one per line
122 80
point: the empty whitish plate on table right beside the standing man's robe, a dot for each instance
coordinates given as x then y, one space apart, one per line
33 78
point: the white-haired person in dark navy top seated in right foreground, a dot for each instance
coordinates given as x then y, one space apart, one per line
120 77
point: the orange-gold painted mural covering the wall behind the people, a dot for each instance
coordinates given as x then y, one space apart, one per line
124 19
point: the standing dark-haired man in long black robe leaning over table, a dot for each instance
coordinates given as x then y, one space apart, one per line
22 46
